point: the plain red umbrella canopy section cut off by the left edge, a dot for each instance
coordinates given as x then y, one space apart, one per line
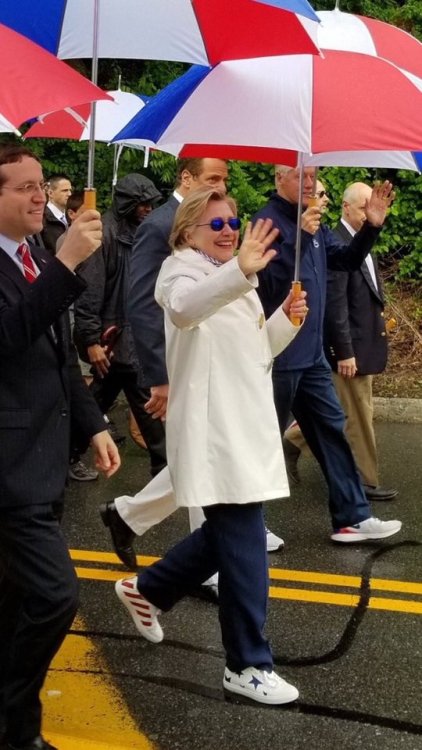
33 81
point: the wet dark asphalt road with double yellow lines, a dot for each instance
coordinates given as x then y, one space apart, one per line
345 622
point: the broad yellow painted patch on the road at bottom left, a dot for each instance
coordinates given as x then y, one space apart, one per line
83 710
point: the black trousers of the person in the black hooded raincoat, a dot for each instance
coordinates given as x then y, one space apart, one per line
125 378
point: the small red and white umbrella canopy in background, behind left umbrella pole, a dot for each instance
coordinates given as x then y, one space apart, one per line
75 124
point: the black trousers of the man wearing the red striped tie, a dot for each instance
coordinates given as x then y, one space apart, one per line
38 601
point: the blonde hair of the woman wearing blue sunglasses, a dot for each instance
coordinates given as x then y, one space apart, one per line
191 210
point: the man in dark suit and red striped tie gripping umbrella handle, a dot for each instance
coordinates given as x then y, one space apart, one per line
41 393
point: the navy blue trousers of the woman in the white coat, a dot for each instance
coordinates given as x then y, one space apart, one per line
231 541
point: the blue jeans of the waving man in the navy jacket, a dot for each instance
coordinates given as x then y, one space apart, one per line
310 395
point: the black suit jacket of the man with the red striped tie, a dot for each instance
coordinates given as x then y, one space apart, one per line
41 386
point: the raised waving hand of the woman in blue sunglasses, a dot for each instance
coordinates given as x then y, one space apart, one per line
254 253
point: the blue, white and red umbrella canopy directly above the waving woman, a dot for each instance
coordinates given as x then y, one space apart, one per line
254 109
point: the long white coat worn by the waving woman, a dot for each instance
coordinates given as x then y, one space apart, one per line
223 438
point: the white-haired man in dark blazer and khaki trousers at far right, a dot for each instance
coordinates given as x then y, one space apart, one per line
355 341
